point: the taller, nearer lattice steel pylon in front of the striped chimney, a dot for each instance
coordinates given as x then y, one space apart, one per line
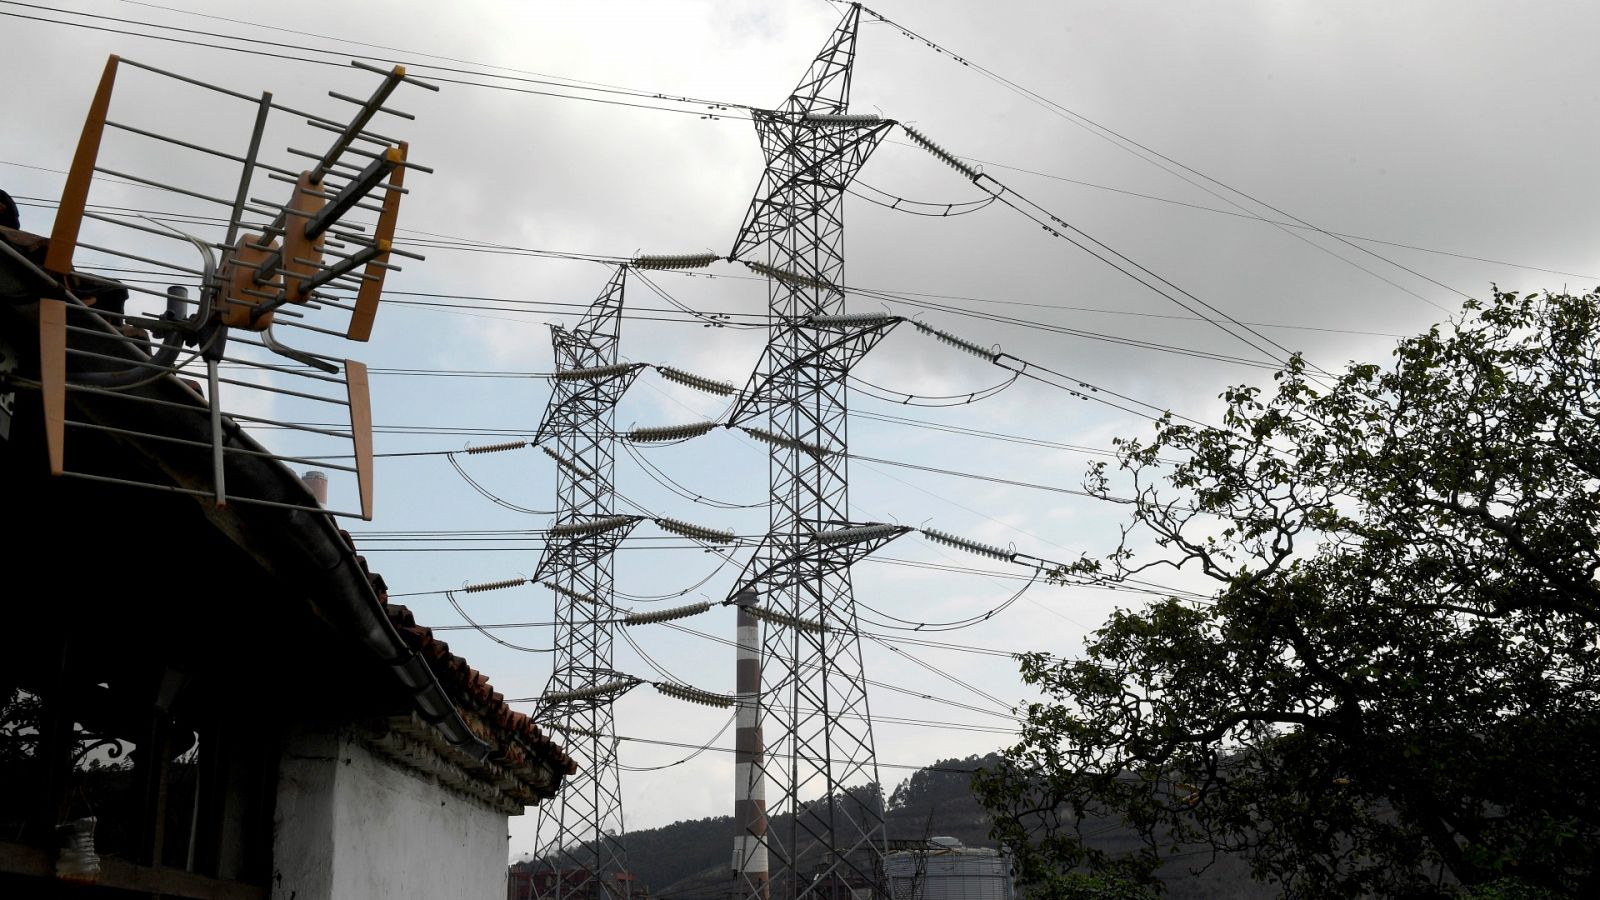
822 832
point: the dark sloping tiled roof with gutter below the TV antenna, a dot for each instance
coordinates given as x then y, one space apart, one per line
454 723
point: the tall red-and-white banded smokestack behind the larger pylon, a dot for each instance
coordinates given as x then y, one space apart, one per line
750 792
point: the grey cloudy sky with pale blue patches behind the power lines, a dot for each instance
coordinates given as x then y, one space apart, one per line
1447 145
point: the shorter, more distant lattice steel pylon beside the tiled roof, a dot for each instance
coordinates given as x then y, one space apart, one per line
582 830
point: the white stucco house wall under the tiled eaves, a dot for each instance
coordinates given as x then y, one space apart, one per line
353 826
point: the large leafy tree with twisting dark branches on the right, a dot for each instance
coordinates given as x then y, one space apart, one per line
1394 688
